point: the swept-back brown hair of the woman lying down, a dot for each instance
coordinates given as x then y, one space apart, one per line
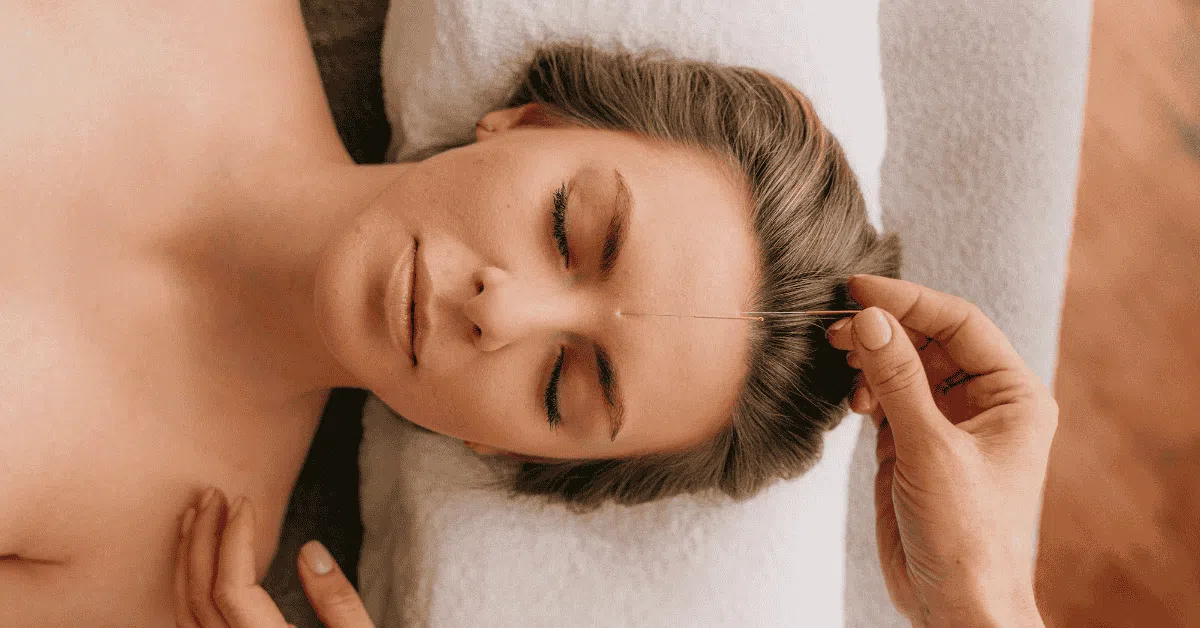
811 224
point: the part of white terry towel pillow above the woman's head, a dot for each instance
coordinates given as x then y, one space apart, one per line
447 63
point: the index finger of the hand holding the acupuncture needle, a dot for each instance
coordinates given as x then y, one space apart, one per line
970 338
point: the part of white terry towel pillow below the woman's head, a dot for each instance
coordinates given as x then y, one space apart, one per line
441 548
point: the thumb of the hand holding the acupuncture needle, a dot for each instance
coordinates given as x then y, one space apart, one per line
897 378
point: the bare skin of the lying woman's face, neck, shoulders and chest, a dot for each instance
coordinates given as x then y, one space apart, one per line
191 261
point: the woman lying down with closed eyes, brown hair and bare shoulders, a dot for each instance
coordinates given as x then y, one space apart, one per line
191 262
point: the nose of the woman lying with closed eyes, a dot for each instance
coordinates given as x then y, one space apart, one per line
507 309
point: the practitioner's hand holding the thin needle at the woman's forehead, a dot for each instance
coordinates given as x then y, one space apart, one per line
962 463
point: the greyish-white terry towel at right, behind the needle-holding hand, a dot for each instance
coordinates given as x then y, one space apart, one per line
986 106
